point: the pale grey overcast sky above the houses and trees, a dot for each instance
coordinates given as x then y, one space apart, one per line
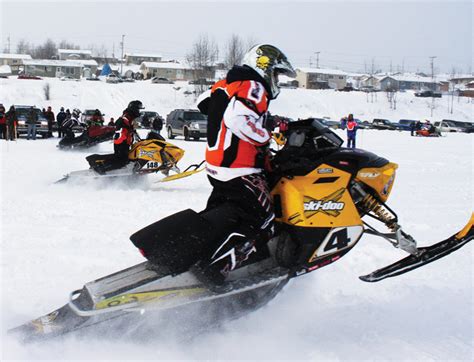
348 34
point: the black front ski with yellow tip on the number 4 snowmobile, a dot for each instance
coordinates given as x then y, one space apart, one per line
425 255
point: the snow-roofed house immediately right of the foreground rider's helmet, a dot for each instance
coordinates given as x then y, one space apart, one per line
318 78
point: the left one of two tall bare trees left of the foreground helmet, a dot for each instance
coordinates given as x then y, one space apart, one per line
202 59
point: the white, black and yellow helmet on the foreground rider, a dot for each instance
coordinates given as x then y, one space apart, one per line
269 62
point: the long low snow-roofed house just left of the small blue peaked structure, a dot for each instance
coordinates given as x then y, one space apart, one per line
53 68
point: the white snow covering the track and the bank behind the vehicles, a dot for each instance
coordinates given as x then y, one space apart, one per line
54 238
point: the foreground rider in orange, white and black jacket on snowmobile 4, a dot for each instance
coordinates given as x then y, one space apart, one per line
238 135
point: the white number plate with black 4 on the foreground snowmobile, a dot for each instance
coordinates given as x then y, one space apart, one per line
339 239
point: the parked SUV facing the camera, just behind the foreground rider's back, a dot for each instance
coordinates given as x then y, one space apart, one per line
189 123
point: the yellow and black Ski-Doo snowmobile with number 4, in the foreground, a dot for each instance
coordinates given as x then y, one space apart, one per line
321 192
